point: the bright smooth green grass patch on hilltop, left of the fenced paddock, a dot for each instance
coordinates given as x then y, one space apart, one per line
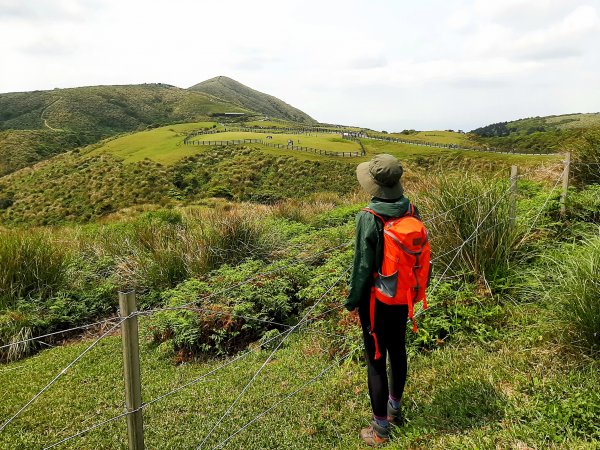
163 145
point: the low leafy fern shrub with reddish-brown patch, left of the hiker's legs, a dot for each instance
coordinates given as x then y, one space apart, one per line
226 319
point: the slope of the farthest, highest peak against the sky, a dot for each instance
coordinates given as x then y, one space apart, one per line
234 92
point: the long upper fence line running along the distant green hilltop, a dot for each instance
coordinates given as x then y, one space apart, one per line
356 136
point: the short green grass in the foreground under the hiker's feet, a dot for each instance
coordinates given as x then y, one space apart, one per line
520 391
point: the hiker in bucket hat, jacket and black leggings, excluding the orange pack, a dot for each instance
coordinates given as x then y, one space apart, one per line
380 178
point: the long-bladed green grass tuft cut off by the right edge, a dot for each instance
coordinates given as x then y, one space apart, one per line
576 286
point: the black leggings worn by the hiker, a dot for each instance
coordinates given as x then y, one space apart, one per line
390 328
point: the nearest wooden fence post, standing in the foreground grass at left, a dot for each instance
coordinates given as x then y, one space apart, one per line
131 371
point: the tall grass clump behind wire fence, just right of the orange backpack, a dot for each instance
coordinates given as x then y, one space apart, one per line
469 226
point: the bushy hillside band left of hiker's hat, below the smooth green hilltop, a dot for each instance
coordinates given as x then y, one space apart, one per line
78 187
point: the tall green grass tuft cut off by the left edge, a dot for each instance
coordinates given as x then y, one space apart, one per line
32 265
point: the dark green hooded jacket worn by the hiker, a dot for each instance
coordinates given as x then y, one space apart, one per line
368 250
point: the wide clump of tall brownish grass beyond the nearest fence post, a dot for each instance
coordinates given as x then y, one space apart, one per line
164 248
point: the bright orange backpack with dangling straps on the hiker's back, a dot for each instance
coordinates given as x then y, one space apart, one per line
406 266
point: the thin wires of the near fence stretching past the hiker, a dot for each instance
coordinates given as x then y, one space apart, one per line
301 325
